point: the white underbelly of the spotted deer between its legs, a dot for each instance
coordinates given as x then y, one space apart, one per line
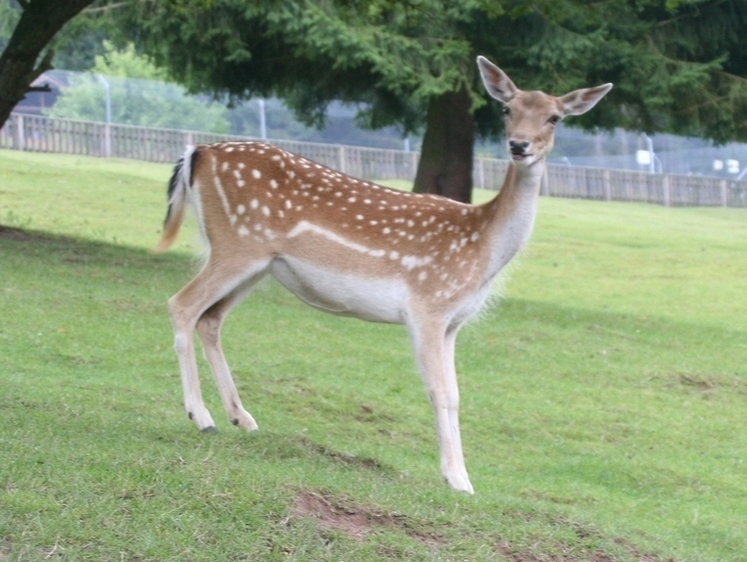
344 294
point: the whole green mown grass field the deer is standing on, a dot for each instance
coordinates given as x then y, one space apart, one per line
603 400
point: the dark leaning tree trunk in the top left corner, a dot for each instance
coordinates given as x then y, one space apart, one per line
40 21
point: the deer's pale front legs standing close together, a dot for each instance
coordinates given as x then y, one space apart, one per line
434 351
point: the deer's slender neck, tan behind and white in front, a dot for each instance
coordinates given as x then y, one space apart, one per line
511 213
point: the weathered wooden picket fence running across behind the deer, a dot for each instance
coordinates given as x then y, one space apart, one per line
45 134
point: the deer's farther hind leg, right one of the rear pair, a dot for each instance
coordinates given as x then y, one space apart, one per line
208 327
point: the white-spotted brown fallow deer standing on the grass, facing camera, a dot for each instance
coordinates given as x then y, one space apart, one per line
354 248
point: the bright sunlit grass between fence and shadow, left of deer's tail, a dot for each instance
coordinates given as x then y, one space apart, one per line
112 200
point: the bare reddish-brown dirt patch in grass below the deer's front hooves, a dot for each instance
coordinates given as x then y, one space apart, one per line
356 521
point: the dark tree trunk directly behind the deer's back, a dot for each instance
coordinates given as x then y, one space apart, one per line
446 156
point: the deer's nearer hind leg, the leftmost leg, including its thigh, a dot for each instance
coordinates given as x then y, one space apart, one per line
186 308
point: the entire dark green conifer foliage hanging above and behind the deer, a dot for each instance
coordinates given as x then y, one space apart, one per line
678 66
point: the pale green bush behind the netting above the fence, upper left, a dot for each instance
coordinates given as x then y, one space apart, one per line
138 96
